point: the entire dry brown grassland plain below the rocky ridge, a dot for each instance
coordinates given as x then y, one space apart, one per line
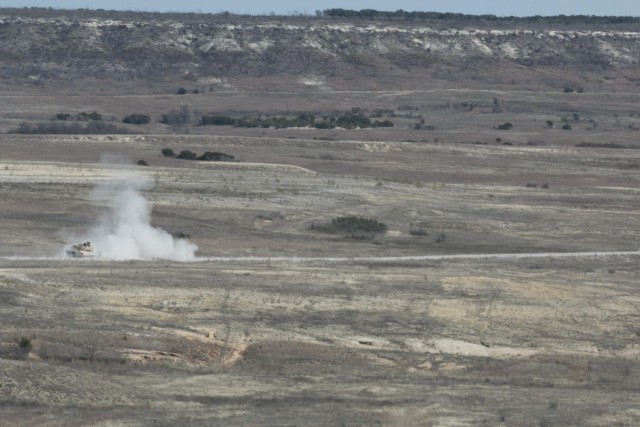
500 287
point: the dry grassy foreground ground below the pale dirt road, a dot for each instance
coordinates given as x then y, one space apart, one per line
448 342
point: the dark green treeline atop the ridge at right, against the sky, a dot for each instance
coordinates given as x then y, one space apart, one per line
372 14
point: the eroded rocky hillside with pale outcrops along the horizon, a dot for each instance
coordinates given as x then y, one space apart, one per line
71 47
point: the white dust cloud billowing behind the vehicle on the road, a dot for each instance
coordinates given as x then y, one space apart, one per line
124 231
